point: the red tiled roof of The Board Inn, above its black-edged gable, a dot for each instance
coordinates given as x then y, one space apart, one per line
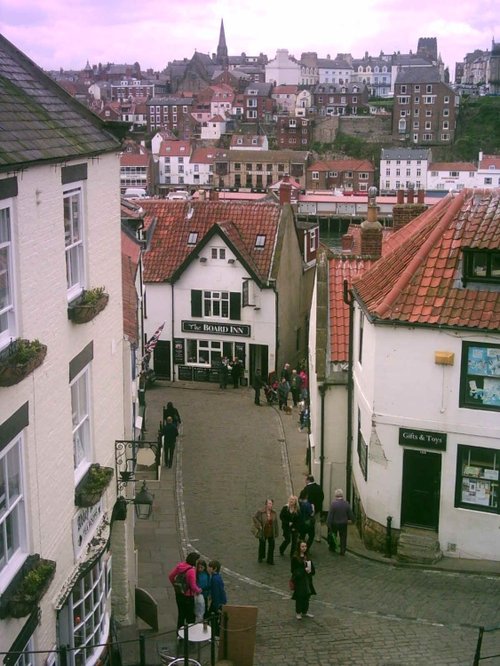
239 223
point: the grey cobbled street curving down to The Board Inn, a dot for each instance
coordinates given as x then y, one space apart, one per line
370 610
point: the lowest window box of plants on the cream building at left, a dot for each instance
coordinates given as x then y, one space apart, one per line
31 587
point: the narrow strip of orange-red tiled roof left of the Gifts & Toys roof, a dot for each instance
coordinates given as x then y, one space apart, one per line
342 268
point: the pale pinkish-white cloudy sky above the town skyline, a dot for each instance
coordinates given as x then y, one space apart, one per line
67 33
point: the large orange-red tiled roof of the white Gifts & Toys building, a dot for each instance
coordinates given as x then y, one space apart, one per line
418 280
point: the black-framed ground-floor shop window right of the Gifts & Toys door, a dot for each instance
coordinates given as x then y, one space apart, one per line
477 478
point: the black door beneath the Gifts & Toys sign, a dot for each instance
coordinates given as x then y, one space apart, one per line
421 489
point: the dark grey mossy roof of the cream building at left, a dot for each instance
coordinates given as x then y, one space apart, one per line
39 121
